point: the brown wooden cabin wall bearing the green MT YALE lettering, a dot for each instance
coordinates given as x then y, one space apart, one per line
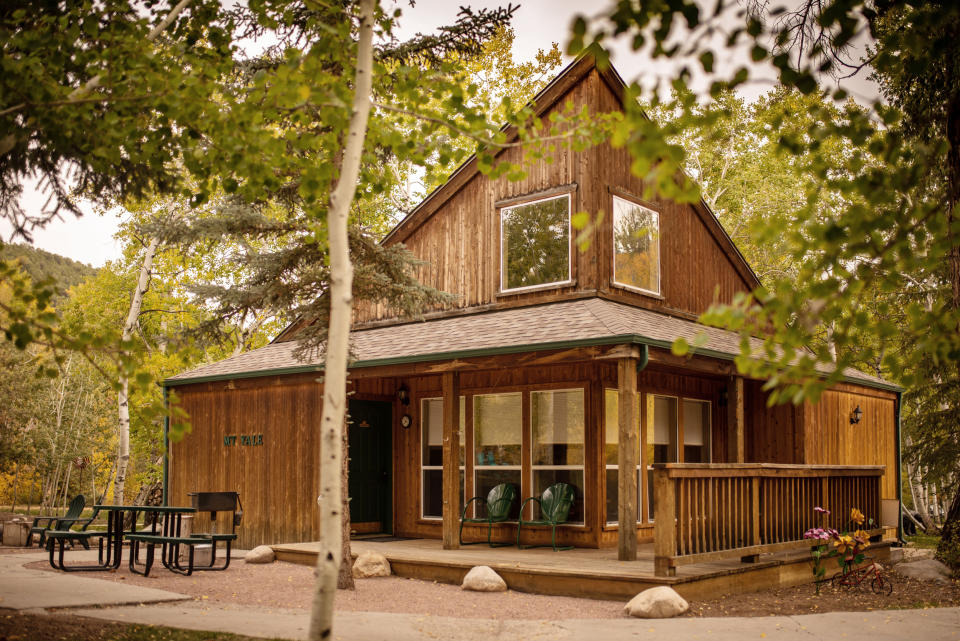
277 481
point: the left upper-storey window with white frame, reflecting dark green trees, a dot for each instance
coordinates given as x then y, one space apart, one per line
535 244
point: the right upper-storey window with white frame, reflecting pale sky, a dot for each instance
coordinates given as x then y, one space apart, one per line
636 246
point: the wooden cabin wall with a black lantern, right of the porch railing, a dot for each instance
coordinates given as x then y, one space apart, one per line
831 439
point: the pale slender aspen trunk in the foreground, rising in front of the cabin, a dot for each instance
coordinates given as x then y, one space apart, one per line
338 335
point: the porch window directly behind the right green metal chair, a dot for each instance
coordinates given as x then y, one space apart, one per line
558 438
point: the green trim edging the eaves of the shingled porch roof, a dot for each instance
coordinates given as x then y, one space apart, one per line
631 339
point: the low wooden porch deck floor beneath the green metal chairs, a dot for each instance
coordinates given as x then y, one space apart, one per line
579 572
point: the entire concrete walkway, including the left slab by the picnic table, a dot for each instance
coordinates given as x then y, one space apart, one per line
37 590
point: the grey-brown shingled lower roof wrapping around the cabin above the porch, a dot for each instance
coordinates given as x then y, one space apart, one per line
591 321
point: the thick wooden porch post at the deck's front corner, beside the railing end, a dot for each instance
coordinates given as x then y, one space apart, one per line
627 459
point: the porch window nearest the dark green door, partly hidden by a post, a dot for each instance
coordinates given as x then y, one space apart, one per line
431 448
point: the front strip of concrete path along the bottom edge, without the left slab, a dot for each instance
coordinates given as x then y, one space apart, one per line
930 625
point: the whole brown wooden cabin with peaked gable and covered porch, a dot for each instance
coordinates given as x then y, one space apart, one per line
554 364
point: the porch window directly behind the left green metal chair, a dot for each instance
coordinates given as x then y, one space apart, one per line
498 444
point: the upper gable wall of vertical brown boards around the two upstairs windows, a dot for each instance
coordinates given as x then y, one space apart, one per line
460 242
